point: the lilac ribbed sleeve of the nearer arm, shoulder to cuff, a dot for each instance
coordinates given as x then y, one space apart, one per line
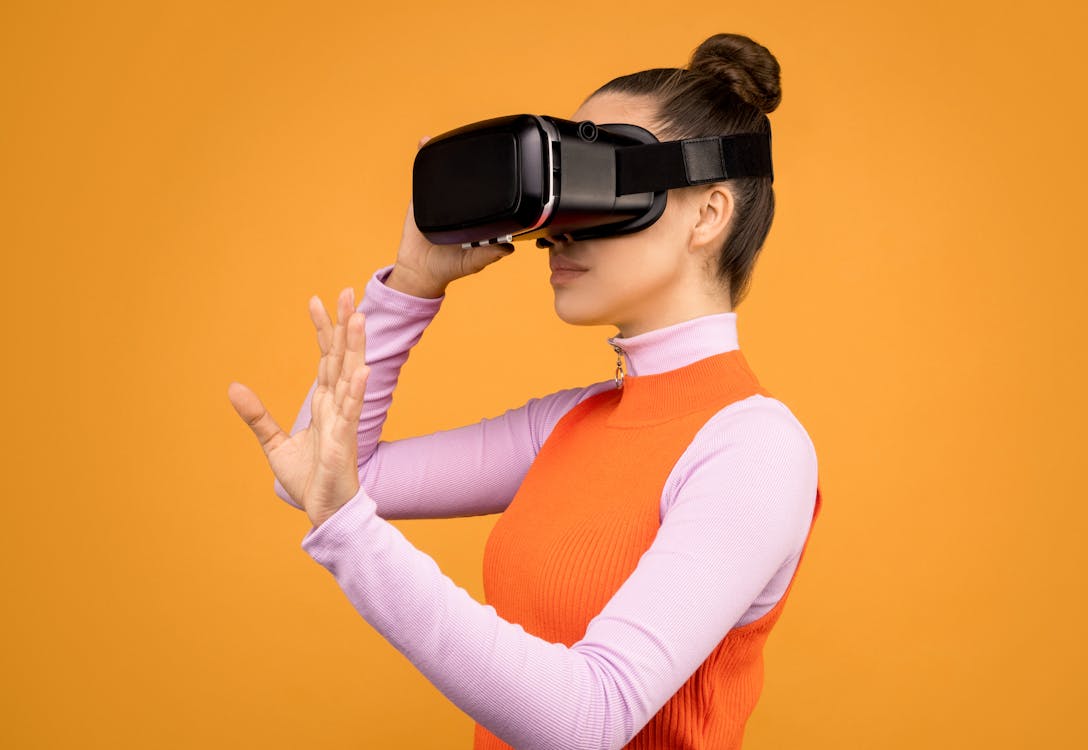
738 510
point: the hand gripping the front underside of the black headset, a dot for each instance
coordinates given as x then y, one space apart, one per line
427 268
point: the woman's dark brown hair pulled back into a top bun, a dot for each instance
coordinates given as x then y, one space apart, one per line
728 88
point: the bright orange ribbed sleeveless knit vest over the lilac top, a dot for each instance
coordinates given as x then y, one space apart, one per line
586 513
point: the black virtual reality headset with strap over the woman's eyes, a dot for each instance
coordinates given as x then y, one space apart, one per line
524 177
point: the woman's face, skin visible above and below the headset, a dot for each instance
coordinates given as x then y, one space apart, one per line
646 280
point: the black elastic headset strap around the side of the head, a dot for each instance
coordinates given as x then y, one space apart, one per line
651 168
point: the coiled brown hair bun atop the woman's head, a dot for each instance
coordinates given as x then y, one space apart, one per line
749 69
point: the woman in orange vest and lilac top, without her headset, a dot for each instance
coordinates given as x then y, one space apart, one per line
652 523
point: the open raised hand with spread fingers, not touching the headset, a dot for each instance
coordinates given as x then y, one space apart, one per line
328 470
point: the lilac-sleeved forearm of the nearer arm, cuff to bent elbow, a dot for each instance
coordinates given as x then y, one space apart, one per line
531 693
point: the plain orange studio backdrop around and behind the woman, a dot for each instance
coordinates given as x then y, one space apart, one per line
180 179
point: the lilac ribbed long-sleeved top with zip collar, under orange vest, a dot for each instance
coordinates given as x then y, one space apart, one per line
715 565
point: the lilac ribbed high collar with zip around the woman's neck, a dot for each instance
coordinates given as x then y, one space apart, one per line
678 346
